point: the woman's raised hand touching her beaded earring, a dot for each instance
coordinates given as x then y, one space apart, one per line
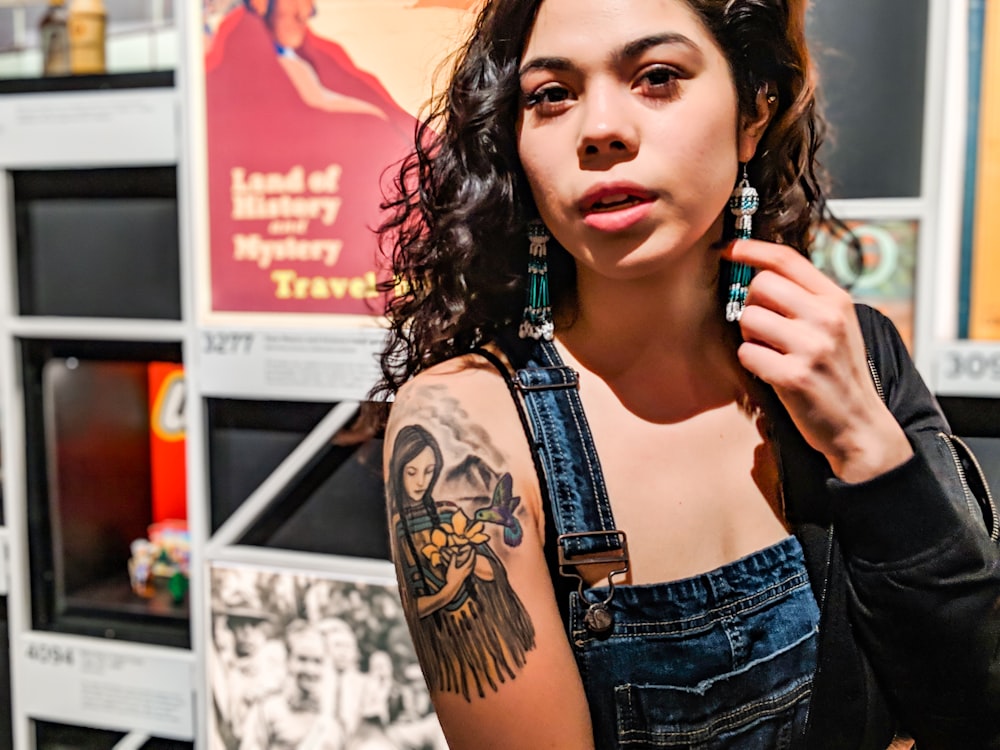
801 335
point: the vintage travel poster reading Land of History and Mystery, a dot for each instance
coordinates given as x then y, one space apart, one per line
309 105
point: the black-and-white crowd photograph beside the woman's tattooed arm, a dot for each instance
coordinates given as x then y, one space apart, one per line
313 662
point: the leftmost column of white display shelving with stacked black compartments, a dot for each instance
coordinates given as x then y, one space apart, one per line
92 309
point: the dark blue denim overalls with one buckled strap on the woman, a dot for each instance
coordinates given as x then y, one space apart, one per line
721 660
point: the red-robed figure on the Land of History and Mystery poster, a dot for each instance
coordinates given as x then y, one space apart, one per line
299 141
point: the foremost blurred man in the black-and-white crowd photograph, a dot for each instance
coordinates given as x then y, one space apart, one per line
294 718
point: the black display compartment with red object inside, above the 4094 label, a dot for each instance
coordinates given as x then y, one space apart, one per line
90 430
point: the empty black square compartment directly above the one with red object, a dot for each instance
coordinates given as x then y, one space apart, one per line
98 242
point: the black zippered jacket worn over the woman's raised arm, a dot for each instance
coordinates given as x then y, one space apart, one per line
906 574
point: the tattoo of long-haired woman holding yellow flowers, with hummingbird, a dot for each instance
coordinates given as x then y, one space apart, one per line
460 583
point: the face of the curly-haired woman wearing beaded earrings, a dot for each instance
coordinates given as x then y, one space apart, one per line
629 132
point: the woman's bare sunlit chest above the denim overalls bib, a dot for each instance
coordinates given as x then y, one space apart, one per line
691 495
